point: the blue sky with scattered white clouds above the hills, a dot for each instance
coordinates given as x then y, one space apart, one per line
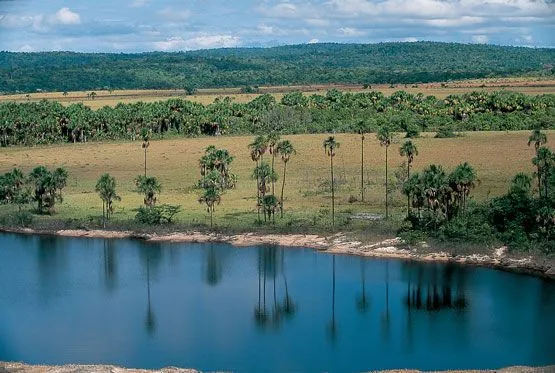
172 25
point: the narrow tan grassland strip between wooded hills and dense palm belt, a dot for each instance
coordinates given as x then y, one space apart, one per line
530 86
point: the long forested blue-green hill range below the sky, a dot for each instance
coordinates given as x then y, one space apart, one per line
285 65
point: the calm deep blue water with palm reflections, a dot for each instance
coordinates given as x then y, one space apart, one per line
203 306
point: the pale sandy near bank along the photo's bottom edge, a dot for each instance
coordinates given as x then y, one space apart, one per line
23 368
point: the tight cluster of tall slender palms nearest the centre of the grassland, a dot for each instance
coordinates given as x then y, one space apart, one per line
266 175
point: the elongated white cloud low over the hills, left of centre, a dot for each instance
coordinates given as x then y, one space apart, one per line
198 42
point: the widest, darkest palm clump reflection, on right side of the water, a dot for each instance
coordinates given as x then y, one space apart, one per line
437 289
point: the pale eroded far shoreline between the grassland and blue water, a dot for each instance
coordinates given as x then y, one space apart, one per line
335 244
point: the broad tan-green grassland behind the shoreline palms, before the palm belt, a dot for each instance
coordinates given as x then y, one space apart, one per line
496 156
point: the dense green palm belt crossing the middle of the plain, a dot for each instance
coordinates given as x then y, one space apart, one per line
46 122
